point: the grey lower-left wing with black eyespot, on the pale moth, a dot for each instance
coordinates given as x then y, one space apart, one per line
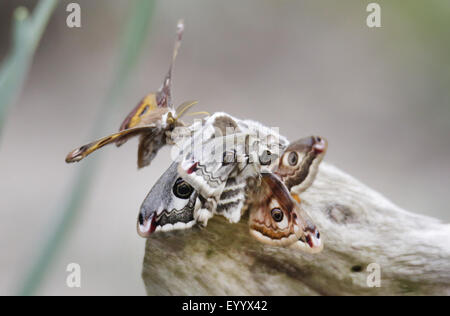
170 205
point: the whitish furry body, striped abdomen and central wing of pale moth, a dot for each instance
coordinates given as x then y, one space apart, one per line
218 166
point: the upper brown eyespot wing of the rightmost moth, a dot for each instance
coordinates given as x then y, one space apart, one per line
299 163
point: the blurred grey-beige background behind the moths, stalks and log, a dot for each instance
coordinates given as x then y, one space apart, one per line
380 95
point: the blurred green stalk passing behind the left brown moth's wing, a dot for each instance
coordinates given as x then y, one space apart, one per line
133 38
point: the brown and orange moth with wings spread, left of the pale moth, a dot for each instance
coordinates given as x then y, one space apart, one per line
152 119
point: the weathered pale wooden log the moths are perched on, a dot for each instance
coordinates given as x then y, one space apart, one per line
358 226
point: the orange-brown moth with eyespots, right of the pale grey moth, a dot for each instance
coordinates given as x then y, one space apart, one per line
295 172
